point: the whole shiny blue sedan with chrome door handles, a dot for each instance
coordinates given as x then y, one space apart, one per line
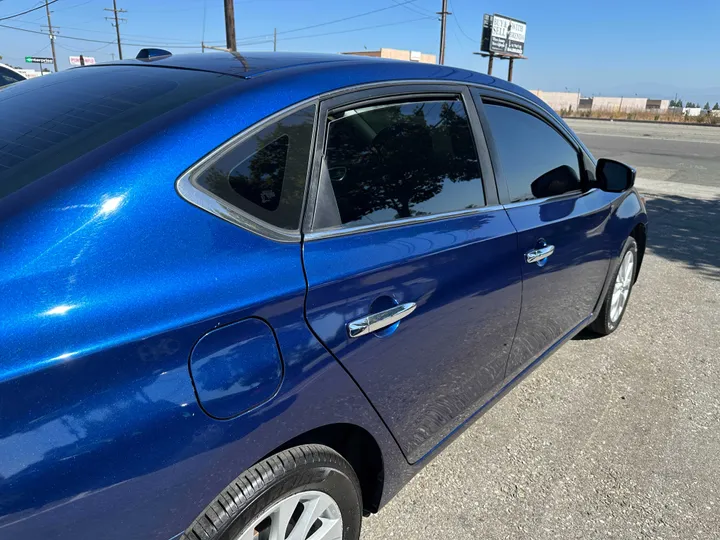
250 296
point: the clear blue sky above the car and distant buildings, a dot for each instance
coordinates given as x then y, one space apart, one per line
605 47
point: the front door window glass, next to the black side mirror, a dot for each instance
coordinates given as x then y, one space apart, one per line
536 161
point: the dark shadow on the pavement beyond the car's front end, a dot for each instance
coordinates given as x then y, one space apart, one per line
686 230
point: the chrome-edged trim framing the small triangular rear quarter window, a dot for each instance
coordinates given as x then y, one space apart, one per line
198 196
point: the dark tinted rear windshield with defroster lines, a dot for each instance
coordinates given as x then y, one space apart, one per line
50 121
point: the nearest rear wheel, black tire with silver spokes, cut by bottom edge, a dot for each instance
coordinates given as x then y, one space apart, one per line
306 478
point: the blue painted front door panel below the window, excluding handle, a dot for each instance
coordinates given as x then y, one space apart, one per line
562 292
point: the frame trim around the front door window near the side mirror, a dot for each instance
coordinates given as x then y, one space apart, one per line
502 98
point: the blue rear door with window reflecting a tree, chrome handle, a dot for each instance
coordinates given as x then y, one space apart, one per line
413 278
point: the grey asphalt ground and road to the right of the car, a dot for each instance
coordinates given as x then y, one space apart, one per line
617 437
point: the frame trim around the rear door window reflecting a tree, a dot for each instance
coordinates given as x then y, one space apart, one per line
386 93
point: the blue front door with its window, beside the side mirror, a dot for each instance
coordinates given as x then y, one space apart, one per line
544 184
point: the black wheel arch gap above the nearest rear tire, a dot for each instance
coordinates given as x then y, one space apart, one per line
358 447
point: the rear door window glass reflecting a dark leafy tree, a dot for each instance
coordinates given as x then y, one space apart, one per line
396 161
